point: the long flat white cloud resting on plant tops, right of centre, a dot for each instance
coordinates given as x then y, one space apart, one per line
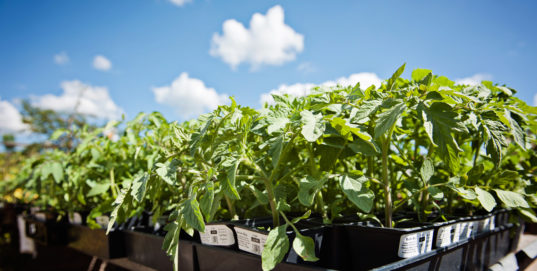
366 79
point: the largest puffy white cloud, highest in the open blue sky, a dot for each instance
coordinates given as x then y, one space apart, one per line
268 41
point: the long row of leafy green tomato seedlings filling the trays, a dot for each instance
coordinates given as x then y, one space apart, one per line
423 149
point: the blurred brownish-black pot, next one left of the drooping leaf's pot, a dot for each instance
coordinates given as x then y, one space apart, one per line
95 242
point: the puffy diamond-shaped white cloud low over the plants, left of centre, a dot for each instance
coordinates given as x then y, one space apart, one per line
189 96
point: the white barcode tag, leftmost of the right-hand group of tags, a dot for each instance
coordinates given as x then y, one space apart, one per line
416 243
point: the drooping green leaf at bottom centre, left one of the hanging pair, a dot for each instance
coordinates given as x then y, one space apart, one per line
276 247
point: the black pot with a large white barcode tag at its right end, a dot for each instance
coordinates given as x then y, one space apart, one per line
371 246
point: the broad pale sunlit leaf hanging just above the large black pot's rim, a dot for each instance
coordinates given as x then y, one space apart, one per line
357 192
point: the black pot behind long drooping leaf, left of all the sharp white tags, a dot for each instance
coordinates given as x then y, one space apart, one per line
146 249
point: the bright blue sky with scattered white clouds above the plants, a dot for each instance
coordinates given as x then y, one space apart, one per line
185 57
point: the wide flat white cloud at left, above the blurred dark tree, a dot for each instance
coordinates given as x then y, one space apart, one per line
88 100
